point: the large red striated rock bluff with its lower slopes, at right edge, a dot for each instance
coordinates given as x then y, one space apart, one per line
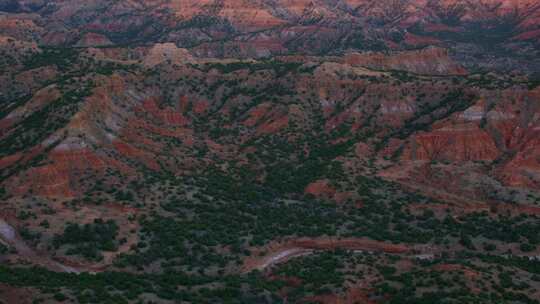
499 129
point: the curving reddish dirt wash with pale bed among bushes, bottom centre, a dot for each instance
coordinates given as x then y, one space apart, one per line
281 252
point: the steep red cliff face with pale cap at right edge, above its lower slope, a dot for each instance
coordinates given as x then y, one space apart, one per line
477 134
